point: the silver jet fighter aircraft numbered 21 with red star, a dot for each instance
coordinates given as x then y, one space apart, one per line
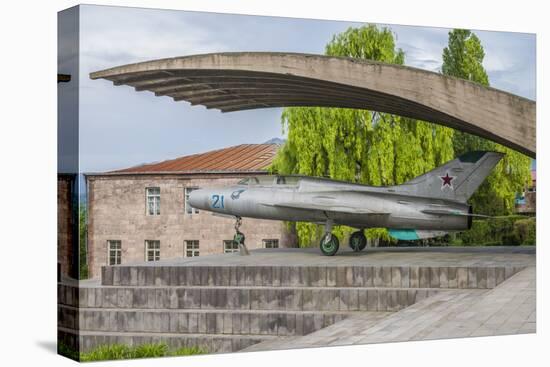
429 205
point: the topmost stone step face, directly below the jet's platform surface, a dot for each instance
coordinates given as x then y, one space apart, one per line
308 276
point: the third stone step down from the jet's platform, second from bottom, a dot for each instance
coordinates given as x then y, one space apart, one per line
249 322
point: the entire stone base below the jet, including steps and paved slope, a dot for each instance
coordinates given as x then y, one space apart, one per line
283 298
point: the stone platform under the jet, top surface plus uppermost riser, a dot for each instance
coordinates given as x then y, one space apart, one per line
383 268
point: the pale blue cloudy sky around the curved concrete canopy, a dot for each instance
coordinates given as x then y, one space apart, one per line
120 127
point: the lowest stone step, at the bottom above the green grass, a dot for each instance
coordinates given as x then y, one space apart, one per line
85 341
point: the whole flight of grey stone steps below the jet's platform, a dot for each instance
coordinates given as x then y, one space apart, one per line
228 308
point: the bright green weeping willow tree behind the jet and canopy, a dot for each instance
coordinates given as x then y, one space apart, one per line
359 145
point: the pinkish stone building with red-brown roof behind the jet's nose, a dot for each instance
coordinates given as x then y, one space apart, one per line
141 213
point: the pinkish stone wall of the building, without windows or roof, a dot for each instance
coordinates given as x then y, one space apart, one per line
117 211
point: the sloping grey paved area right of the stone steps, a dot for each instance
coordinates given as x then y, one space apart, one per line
509 308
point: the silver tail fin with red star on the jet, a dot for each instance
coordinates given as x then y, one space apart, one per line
458 179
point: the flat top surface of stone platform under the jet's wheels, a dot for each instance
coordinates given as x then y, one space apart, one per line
381 256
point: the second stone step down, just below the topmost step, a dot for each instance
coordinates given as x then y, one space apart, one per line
244 298
